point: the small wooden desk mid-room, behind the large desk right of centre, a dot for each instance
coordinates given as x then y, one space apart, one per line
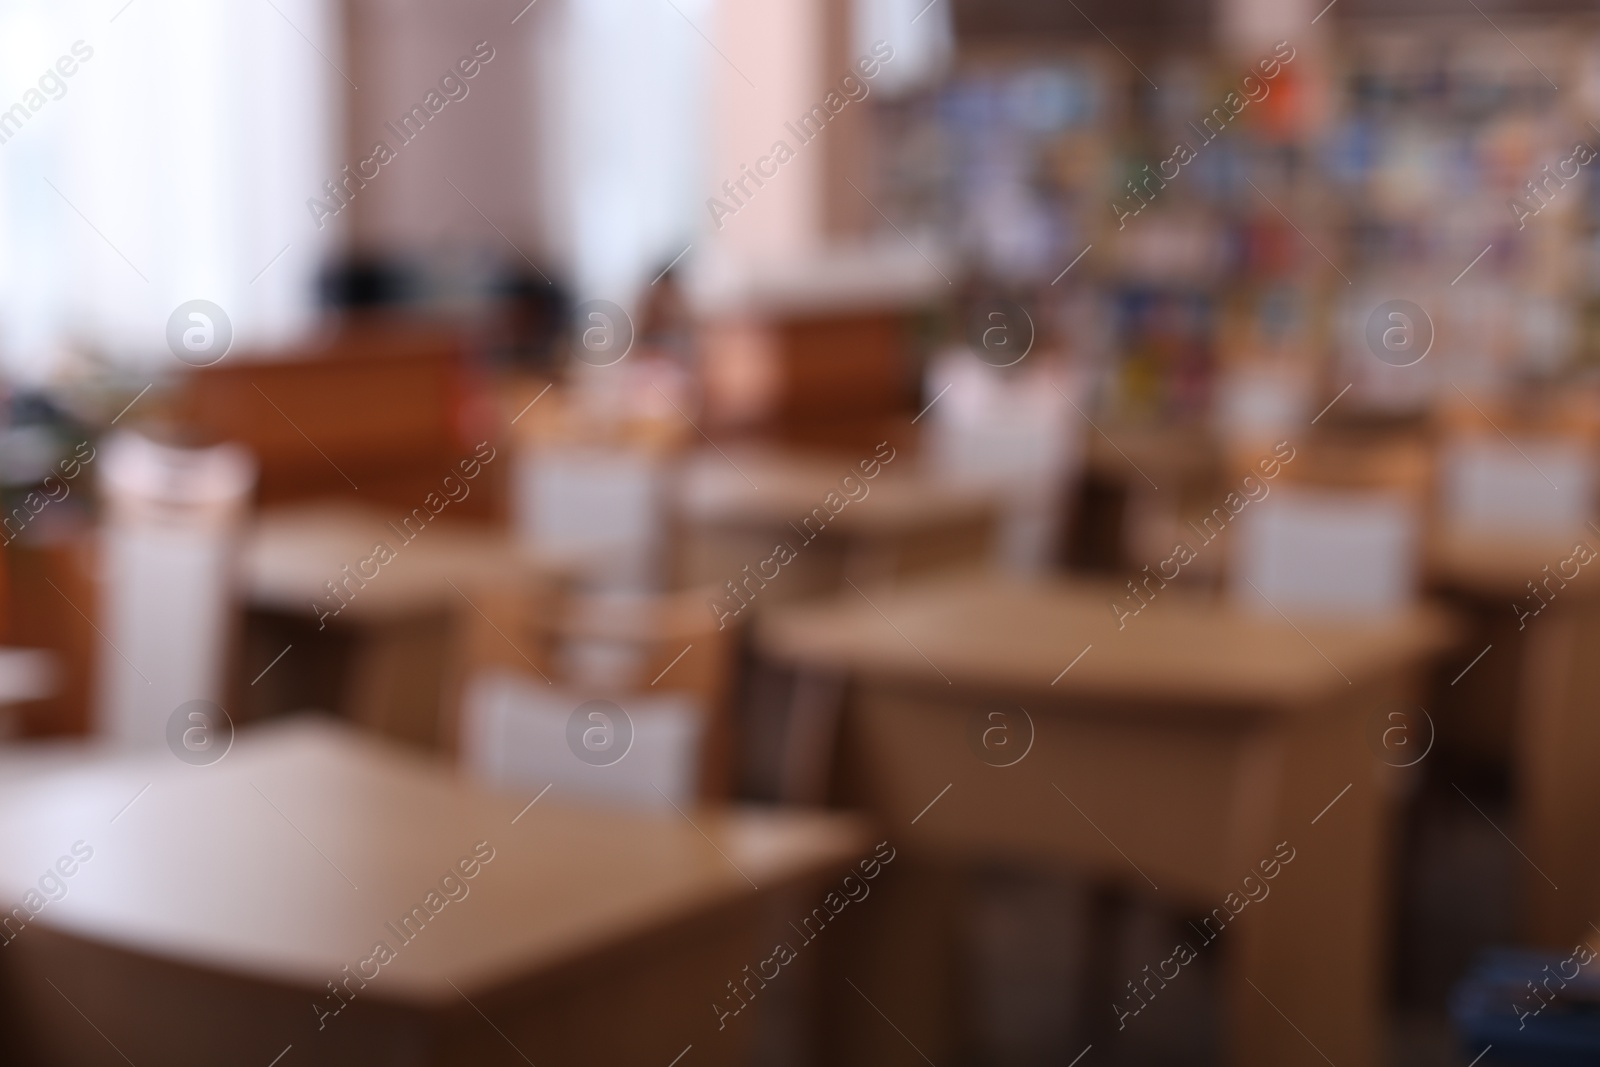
734 511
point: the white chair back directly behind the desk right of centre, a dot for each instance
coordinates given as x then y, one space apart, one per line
1327 553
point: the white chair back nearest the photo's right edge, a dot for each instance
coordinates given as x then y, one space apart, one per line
1494 489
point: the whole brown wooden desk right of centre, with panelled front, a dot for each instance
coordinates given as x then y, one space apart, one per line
1175 754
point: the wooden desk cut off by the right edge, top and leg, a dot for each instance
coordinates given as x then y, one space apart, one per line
1545 669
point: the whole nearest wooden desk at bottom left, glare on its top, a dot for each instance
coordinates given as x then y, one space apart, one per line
223 900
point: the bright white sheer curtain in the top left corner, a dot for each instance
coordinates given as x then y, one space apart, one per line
175 167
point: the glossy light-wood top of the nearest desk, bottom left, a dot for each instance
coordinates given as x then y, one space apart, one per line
286 860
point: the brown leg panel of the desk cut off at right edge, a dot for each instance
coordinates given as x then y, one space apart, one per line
1558 777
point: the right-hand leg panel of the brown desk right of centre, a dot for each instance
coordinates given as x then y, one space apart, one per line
1305 965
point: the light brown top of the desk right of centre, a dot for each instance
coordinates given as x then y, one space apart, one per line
994 631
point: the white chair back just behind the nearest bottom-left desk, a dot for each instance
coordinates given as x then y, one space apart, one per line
514 737
